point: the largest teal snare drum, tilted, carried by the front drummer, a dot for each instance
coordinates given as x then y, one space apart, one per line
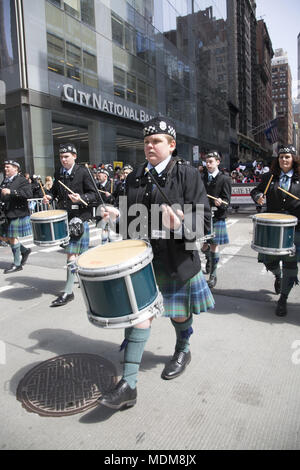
118 284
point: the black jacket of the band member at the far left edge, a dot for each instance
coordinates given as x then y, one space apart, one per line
15 203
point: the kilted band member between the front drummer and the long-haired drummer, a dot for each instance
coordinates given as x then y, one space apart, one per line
218 186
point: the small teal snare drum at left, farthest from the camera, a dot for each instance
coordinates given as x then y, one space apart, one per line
50 228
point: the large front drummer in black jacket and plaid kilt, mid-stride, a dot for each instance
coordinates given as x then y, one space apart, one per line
176 264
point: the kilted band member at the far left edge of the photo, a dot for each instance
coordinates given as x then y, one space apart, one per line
15 218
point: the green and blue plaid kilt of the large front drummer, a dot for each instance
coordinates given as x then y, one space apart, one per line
183 300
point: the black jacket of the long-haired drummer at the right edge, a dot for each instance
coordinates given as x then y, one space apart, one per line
278 201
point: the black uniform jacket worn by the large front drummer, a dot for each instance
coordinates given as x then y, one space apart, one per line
181 184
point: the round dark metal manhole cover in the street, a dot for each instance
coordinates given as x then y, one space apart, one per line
66 385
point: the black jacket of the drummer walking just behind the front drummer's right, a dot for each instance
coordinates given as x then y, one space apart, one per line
219 187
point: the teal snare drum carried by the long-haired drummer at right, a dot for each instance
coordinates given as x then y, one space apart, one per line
273 234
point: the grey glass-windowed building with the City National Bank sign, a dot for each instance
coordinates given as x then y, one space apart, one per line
92 71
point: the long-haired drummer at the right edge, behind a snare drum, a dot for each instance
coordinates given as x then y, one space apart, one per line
286 174
